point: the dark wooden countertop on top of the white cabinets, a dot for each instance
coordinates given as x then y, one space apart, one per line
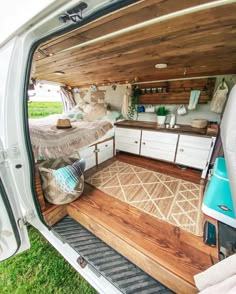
183 129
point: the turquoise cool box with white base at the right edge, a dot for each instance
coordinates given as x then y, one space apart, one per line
217 200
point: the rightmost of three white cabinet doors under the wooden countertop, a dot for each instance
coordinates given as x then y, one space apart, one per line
193 151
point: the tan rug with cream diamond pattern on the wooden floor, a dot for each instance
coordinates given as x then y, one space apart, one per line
167 198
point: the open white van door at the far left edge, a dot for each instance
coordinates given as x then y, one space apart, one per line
13 232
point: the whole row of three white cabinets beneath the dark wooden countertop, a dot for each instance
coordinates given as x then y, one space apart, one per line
193 151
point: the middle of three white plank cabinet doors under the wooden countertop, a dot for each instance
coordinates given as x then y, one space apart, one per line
159 145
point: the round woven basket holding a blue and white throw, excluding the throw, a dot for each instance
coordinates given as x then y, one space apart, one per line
52 191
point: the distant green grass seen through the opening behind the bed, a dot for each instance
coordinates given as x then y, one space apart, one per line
41 109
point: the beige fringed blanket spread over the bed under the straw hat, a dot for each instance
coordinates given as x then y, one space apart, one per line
49 142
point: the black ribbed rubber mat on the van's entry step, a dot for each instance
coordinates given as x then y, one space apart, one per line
119 271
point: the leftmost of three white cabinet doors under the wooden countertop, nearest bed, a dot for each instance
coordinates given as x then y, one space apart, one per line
127 140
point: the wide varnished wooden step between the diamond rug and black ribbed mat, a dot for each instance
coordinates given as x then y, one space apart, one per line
167 253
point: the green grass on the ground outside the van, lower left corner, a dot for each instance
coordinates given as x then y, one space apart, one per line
40 270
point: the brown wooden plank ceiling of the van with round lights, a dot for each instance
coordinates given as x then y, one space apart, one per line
198 44
